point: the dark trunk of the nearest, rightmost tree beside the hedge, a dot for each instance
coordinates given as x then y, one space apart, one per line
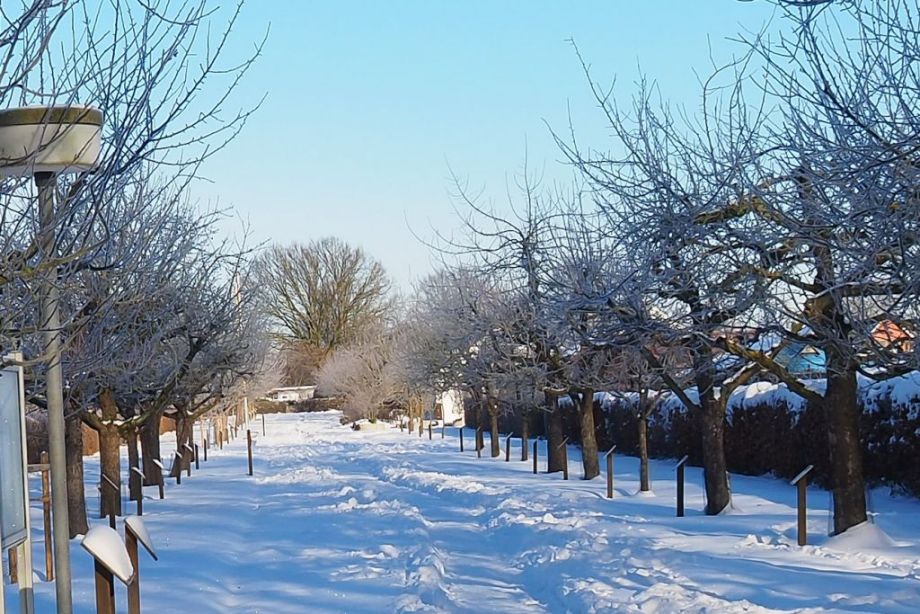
842 414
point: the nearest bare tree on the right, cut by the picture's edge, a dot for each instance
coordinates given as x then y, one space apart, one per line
834 203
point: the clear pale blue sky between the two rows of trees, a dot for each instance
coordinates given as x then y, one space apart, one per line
369 104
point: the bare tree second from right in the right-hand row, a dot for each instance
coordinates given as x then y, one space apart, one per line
673 169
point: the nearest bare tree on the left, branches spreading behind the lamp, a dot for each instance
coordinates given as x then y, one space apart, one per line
145 65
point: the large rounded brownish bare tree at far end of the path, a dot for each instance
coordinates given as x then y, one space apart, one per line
322 296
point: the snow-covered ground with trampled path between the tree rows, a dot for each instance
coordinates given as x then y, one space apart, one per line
337 520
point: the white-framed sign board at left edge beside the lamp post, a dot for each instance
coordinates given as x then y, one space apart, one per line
13 496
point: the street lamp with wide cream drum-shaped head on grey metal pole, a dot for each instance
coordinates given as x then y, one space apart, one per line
43 142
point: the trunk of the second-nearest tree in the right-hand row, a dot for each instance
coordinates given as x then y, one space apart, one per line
712 427
